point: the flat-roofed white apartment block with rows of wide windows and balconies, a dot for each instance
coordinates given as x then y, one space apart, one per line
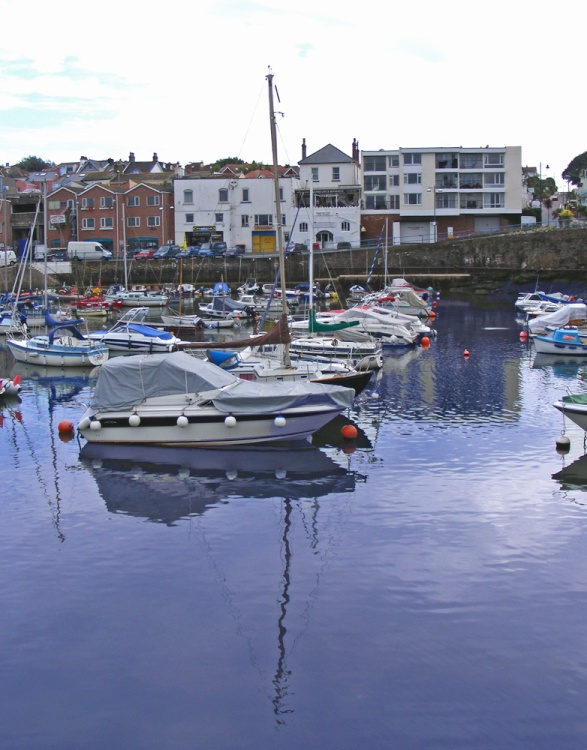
427 193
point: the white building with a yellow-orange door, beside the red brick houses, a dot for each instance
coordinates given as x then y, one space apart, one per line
233 209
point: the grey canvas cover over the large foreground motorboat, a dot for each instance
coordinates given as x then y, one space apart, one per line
123 382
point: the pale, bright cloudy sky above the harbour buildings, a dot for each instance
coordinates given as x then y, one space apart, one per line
188 80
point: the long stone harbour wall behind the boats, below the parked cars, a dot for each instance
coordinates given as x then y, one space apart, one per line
489 262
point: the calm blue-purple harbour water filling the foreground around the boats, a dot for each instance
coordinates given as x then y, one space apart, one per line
424 586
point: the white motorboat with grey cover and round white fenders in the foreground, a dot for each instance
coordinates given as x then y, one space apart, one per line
177 399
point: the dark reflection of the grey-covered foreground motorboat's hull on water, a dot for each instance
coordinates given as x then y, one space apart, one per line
165 485
